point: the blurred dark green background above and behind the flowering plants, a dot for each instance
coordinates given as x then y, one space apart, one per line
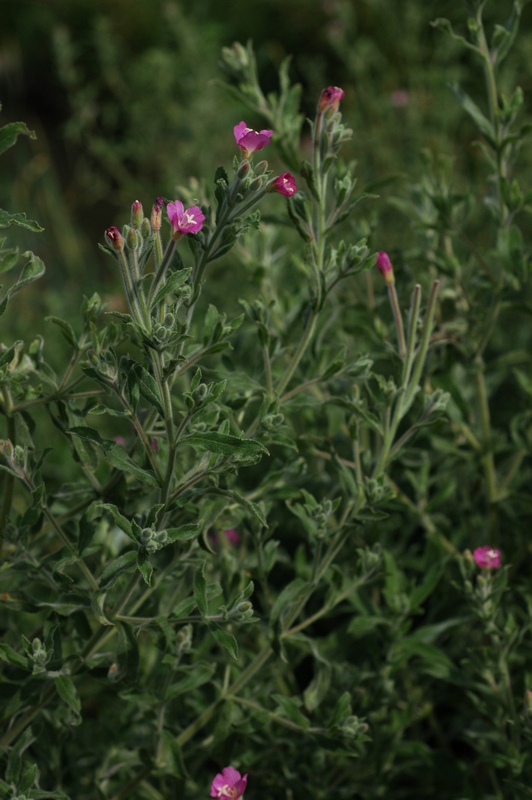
124 98
